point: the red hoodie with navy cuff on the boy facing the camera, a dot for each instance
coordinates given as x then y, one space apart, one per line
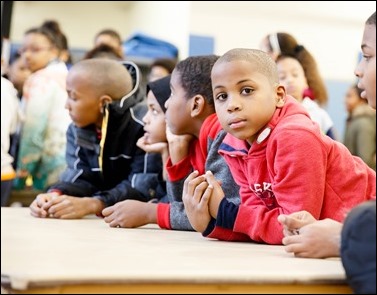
294 168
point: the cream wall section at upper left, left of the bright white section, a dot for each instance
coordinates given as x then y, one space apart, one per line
79 20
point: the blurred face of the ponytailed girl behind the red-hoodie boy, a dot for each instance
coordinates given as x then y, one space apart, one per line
292 77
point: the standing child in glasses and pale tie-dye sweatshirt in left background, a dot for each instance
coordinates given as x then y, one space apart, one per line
42 140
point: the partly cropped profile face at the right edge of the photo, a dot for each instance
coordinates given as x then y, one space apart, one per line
366 69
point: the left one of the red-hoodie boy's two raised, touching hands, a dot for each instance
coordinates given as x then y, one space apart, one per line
196 194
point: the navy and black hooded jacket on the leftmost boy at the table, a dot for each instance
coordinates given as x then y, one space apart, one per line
123 171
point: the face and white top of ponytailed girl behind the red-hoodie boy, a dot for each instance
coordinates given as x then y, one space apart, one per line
292 77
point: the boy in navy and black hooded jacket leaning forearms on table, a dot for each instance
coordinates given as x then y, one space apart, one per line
102 157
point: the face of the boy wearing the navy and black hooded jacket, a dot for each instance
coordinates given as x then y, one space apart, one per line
83 103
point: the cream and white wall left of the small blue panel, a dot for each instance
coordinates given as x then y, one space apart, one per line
80 20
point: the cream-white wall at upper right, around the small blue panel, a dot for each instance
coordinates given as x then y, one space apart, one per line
330 30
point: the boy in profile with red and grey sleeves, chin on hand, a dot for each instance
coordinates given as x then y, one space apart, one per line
193 139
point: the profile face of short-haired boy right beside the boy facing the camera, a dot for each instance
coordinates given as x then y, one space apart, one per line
178 108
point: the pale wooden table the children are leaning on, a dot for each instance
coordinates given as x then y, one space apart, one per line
87 256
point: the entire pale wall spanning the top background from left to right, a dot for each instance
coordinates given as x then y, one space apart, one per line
330 30
